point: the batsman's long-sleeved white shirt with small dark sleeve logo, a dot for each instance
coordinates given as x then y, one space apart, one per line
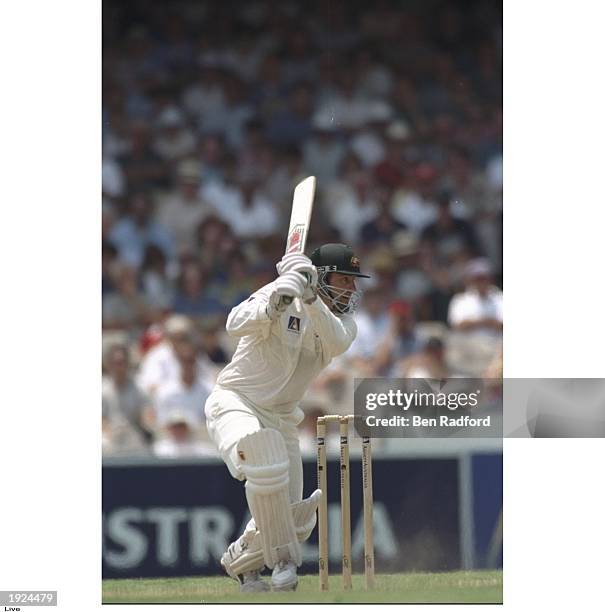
275 361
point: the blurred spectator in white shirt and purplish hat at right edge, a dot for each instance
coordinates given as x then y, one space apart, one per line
478 309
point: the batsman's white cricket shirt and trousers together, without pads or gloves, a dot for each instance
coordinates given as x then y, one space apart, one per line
274 363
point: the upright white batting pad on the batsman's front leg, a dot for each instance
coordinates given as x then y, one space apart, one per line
265 464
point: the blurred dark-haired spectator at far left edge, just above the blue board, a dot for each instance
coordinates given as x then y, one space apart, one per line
123 405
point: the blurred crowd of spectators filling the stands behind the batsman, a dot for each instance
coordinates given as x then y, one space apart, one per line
213 111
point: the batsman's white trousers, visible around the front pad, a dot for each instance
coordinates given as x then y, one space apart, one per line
230 417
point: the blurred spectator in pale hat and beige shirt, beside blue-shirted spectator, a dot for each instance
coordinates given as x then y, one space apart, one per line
183 209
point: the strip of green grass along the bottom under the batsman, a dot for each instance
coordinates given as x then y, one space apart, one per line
452 587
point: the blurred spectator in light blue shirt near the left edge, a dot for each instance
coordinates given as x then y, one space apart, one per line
138 230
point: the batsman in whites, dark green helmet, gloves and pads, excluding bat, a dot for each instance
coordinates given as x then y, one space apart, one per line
288 331
